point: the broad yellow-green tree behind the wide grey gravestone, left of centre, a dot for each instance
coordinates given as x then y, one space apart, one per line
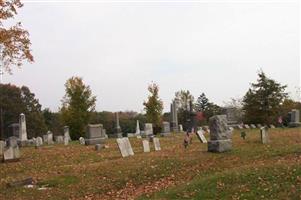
78 103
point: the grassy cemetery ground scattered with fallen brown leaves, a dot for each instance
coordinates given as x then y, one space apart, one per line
251 170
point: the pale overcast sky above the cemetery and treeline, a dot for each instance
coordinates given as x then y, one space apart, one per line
119 48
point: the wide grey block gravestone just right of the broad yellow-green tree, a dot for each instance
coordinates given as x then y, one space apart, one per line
95 135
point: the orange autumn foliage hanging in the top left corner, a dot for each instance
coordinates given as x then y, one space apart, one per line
14 40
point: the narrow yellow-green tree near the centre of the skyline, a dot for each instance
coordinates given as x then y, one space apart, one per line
154 106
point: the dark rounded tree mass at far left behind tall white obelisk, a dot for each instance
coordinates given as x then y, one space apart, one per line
15 100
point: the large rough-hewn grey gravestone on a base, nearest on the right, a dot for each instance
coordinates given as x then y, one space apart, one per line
220 135
